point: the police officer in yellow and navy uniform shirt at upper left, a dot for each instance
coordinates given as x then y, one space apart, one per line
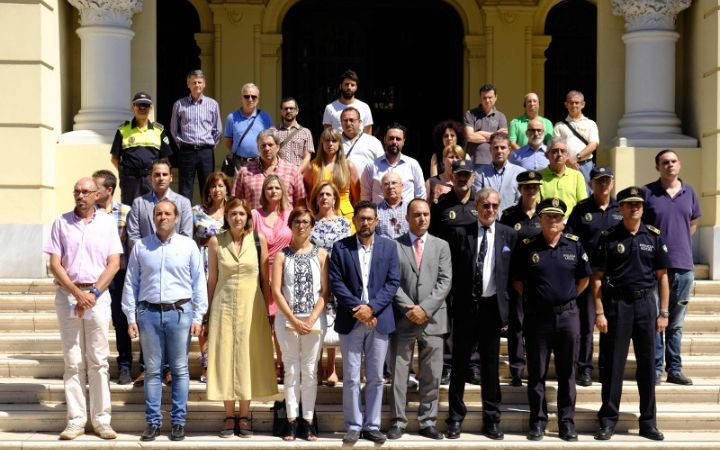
138 142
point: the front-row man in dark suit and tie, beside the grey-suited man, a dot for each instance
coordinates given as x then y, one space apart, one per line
480 307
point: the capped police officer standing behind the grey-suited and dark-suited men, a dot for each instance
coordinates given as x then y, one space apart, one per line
454 215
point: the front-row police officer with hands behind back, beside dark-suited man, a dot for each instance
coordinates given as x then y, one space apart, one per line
550 270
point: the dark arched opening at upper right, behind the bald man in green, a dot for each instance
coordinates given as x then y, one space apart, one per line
571 57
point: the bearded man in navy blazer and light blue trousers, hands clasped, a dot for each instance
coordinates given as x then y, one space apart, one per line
364 276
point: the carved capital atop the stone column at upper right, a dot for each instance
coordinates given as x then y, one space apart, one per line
649 14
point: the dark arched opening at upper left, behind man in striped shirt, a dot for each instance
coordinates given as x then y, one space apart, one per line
177 53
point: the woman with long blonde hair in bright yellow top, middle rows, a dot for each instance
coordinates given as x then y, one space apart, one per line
331 164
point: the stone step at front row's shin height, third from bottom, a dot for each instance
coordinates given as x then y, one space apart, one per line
49 391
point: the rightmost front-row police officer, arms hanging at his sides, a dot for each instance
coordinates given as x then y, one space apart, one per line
632 257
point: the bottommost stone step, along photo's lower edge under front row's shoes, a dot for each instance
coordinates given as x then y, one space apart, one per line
208 439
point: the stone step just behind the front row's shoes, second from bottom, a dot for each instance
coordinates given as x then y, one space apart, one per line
206 416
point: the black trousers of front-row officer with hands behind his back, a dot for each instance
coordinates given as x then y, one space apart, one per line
546 333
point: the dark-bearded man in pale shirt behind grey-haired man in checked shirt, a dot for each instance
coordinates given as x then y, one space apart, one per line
393 161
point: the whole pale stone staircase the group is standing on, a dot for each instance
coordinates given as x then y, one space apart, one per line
32 410
